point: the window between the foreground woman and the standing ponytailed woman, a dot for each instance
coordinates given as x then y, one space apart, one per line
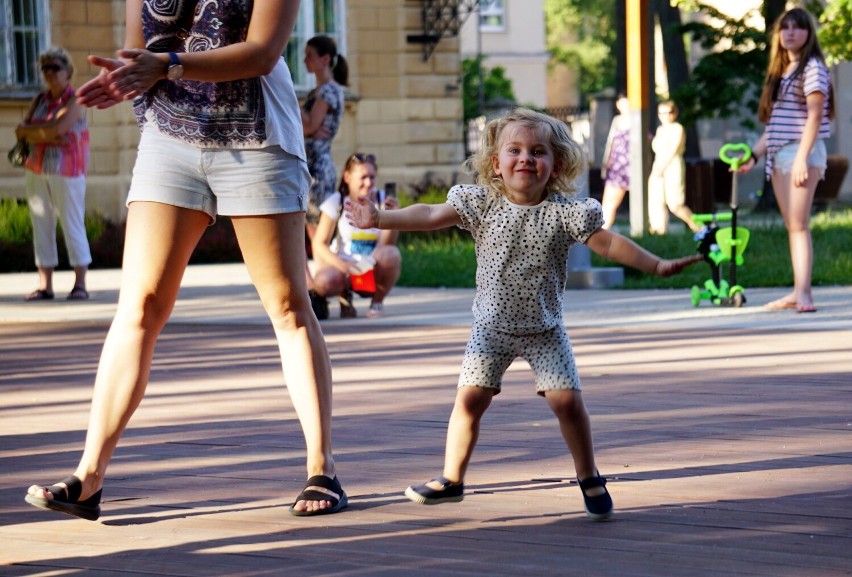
315 17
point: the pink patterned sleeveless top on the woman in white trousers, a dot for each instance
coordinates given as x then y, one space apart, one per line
68 157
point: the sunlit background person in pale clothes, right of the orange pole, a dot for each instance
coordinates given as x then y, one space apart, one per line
667 182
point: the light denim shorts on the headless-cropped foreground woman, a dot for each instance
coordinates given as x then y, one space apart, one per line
226 181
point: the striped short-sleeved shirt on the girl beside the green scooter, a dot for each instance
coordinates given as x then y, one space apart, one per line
790 111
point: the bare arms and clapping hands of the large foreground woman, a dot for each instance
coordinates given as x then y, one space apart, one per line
136 69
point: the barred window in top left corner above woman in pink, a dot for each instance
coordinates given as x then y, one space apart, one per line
23 35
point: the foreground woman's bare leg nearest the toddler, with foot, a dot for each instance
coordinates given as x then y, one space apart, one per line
273 253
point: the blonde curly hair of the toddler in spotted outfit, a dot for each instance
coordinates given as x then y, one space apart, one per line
569 157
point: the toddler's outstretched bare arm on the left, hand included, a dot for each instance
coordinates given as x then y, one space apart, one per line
363 214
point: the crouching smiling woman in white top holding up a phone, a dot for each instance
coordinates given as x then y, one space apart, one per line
337 245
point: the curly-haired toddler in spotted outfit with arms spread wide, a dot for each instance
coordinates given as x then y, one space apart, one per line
524 220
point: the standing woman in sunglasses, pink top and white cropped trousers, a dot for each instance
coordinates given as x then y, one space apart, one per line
57 132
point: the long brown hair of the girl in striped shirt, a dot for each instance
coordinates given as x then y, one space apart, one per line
779 60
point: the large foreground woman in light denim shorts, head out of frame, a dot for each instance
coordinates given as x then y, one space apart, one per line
221 134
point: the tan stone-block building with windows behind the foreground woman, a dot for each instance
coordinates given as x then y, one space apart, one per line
401 106
